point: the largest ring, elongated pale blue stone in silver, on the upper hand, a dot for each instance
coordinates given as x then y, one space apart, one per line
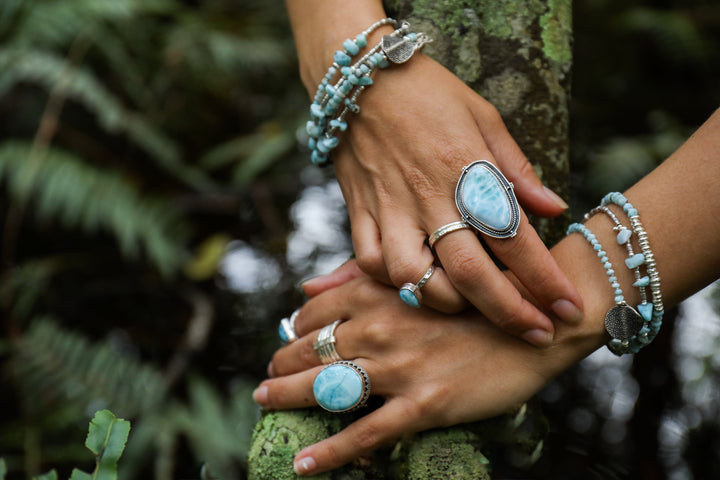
486 200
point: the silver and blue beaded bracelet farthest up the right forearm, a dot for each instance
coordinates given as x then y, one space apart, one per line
648 259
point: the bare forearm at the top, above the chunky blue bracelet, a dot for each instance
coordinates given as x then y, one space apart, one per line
320 27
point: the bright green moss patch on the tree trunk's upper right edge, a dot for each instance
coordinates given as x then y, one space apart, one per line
556 25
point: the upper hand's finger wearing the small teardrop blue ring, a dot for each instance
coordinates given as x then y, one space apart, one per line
409 259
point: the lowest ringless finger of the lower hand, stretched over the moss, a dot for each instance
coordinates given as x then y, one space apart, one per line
380 427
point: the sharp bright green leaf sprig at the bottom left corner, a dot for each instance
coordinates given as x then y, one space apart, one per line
106 438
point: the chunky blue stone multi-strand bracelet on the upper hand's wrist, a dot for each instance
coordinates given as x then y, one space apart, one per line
395 48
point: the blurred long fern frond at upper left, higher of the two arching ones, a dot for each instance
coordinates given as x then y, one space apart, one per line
51 71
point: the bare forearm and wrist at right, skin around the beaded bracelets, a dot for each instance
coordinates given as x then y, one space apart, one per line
679 207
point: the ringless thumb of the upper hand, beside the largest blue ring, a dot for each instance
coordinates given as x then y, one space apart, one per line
531 193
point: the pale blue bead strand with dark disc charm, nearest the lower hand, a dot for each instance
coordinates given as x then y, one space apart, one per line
622 321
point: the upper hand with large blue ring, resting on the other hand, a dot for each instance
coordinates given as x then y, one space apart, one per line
398 165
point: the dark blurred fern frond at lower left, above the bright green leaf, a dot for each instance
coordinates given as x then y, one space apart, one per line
54 367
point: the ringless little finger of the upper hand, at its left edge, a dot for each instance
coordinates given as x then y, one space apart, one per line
368 246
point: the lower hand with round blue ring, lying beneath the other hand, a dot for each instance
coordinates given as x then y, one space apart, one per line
408 354
